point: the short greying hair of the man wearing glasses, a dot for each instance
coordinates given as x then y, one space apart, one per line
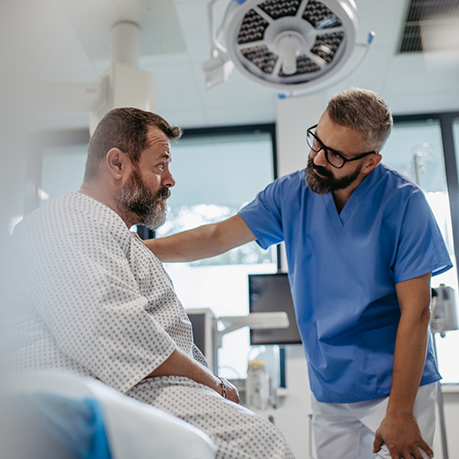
364 111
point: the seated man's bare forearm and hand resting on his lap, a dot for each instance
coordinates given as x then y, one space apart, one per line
180 364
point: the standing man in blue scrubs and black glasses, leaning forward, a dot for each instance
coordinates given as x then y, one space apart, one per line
362 245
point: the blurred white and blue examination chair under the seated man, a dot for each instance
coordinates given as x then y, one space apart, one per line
57 415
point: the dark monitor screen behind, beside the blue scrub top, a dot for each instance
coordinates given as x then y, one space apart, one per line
271 293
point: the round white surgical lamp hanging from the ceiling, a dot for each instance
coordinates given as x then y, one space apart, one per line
295 46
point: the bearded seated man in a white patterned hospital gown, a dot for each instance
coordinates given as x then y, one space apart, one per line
94 300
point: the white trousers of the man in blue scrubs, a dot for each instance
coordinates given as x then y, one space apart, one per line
347 430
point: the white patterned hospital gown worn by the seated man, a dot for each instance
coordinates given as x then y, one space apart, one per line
94 300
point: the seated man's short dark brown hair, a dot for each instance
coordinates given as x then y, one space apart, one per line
126 129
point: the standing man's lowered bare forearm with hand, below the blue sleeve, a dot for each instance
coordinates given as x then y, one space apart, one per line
399 429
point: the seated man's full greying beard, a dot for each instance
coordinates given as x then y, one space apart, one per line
135 197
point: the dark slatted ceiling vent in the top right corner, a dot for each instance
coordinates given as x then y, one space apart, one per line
430 25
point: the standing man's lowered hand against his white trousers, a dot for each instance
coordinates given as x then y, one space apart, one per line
401 435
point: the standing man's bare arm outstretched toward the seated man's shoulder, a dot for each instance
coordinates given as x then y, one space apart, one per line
202 242
